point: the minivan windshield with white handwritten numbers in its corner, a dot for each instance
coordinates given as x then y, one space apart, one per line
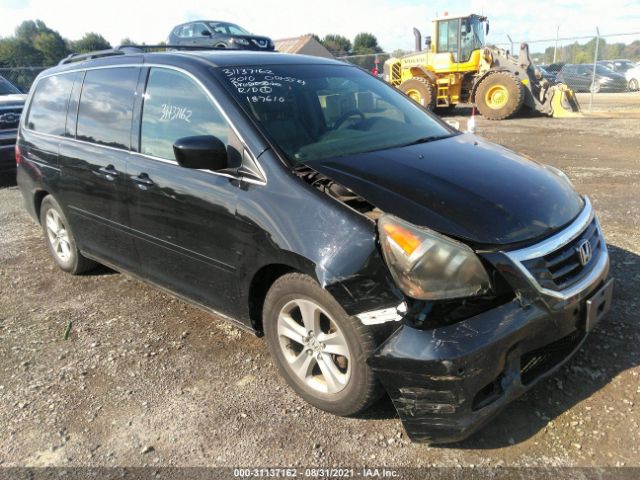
313 112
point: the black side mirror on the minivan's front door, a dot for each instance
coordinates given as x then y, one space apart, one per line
201 152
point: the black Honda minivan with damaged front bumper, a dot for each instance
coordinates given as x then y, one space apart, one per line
377 248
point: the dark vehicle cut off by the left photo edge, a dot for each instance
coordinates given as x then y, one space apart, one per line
11 104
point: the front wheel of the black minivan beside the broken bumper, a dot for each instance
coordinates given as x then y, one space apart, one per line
319 350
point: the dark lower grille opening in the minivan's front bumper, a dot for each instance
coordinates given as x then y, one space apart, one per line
537 362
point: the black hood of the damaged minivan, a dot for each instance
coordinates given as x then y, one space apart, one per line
461 186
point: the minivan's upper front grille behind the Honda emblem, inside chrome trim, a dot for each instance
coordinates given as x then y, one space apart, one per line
562 267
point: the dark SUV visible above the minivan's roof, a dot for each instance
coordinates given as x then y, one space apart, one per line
210 33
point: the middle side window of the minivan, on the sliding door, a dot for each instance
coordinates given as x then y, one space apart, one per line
106 106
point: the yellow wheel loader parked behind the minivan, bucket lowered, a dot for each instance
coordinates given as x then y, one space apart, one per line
457 67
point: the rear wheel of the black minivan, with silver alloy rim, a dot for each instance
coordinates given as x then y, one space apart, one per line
60 240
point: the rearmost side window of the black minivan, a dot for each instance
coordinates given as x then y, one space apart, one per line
48 111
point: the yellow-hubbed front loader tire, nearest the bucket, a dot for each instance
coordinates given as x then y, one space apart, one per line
500 95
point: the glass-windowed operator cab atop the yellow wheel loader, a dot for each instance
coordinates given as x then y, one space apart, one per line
460 36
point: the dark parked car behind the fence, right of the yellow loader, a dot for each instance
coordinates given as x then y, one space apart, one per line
580 78
